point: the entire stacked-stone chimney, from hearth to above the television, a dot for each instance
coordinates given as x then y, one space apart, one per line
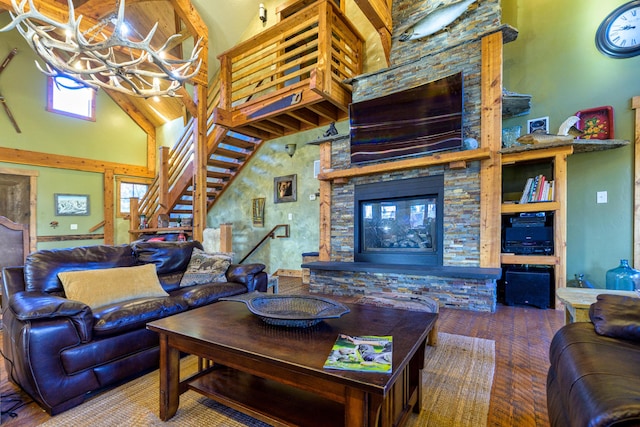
459 282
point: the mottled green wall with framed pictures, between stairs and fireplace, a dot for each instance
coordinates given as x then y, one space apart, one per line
257 180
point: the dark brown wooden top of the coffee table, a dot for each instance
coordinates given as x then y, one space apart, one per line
230 327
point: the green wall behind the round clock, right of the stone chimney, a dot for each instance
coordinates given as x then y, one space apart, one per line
555 60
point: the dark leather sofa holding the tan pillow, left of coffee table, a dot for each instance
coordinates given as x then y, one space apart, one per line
59 350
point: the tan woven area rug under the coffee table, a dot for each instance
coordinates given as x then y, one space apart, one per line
457 386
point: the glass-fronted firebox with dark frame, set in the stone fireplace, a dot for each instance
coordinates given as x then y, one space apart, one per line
400 222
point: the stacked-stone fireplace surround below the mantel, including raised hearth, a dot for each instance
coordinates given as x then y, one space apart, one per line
458 283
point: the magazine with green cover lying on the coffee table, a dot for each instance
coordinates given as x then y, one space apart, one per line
364 353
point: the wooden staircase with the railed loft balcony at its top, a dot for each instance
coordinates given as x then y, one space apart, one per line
287 79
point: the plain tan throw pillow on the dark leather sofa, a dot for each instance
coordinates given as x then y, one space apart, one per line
101 287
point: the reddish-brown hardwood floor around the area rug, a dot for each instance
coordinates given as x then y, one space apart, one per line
518 396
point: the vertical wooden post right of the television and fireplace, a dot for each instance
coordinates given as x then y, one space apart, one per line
491 137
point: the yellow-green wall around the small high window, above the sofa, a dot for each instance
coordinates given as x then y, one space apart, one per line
113 137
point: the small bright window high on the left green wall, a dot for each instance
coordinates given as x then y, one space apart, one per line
67 97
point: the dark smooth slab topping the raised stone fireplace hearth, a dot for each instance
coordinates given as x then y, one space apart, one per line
477 273
